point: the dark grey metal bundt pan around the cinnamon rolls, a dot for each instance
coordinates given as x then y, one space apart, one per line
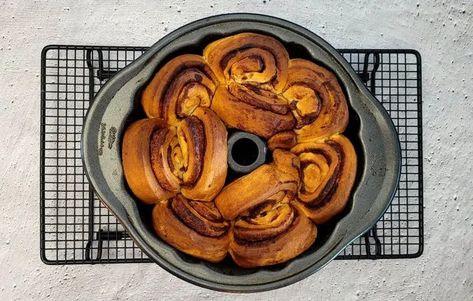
370 129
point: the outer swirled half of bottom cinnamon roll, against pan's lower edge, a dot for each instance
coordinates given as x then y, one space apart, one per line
272 233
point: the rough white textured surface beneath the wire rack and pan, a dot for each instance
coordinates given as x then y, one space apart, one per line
441 30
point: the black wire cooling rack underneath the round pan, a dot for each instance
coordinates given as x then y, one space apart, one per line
77 228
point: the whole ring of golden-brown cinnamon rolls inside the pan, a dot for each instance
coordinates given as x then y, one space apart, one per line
176 158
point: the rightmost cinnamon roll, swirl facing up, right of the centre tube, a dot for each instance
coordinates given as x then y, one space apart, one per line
328 171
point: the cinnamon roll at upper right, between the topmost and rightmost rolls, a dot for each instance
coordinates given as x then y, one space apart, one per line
316 100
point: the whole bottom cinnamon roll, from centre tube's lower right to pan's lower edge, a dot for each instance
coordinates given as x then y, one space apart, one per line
268 229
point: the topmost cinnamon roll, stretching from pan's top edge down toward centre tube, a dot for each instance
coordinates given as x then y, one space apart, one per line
252 69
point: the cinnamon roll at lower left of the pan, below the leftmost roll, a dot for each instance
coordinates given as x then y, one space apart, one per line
195 228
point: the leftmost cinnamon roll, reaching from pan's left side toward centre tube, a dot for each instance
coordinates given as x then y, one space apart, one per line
192 157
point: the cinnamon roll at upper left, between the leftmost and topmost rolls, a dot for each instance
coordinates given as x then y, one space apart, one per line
178 88
